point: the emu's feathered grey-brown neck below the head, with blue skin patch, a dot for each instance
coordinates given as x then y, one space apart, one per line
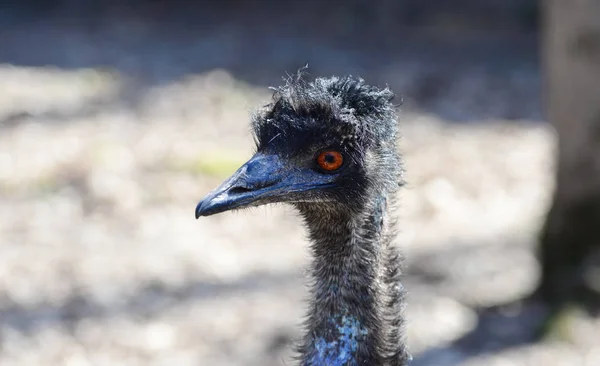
346 324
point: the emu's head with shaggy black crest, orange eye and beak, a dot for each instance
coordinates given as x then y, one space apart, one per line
327 143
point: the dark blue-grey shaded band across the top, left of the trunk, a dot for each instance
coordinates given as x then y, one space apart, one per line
430 52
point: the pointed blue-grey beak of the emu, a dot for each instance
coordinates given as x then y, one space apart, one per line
260 180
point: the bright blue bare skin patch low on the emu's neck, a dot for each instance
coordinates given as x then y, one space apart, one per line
342 350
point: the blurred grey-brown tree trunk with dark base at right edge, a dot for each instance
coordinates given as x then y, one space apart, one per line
571 236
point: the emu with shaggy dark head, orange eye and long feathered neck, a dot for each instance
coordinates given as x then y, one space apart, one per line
328 147
